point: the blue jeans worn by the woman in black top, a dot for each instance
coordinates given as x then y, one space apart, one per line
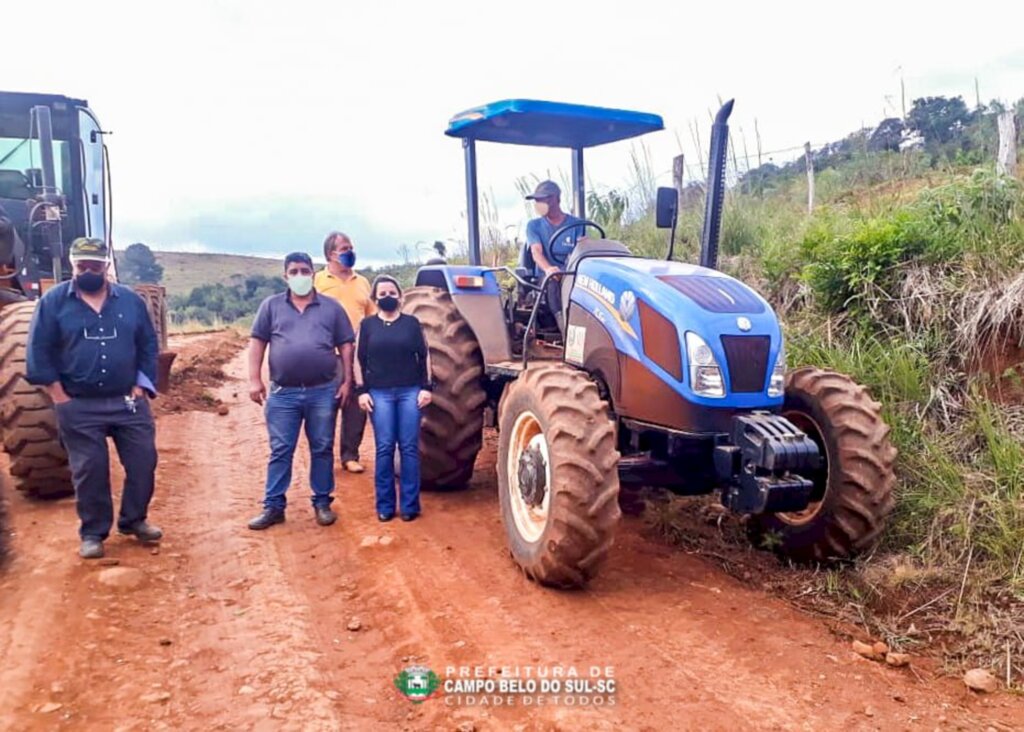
397 422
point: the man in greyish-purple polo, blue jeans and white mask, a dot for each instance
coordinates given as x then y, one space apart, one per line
311 340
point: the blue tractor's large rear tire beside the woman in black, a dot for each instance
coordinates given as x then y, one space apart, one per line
453 425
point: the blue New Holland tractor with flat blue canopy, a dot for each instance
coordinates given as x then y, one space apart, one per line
667 374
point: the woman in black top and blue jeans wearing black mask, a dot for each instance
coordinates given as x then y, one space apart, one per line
393 375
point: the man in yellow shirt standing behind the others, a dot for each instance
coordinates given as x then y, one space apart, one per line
340 282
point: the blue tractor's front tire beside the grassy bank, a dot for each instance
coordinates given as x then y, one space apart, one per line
855 487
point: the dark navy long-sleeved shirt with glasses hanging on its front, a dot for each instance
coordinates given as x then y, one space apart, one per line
92 354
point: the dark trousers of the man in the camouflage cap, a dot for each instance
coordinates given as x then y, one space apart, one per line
84 425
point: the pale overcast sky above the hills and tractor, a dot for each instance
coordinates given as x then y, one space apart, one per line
254 128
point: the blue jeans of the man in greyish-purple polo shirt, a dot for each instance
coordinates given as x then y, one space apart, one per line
287 409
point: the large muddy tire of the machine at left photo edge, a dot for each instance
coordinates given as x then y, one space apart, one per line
28 422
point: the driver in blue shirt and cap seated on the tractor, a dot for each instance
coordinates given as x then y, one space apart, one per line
551 256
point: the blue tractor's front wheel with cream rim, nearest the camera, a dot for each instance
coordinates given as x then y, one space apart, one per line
578 436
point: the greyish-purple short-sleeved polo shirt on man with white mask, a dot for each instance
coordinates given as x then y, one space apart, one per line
304 346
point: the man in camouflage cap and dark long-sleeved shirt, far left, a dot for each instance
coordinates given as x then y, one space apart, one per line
94 348
